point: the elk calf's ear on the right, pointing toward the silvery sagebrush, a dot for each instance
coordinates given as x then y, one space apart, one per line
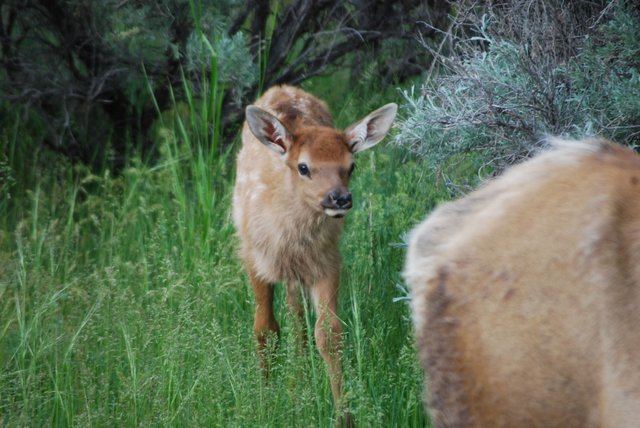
369 131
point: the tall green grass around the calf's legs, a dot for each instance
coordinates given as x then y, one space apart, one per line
122 302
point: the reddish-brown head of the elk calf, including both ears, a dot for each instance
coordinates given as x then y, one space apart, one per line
320 158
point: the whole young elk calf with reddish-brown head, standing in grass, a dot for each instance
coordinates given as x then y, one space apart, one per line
289 199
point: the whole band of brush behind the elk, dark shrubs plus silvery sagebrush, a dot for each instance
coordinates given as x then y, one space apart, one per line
94 77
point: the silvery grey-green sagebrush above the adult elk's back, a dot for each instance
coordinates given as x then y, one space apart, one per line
505 86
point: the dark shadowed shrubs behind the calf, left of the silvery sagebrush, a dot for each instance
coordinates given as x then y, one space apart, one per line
96 74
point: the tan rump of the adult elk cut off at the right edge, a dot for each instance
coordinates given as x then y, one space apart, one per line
526 295
